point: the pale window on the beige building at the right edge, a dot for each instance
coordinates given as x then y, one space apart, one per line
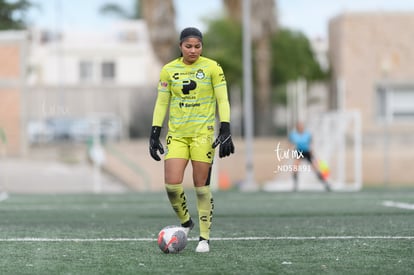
395 102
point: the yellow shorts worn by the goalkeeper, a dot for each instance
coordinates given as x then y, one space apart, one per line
194 148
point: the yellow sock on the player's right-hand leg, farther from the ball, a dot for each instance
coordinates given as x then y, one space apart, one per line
205 206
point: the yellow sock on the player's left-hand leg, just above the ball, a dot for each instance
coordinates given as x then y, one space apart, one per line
178 201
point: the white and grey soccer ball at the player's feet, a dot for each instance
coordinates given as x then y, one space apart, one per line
172 239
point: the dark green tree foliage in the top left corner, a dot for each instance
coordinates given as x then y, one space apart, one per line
13 14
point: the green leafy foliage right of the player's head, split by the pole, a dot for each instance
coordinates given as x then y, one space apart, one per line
292 55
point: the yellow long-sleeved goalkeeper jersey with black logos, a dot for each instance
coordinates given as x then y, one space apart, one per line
191 92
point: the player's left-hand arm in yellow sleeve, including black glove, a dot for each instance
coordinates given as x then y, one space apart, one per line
160 110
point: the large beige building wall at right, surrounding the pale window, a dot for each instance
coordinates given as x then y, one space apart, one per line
367 51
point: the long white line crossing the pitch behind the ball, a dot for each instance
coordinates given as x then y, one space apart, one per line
28 239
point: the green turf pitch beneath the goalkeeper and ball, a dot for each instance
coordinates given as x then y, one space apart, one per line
367 232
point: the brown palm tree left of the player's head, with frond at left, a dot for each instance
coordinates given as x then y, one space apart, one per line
160 18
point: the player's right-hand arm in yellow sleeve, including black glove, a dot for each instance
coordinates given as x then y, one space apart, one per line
220 91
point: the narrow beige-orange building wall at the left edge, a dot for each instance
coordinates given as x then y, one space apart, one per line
12 68
